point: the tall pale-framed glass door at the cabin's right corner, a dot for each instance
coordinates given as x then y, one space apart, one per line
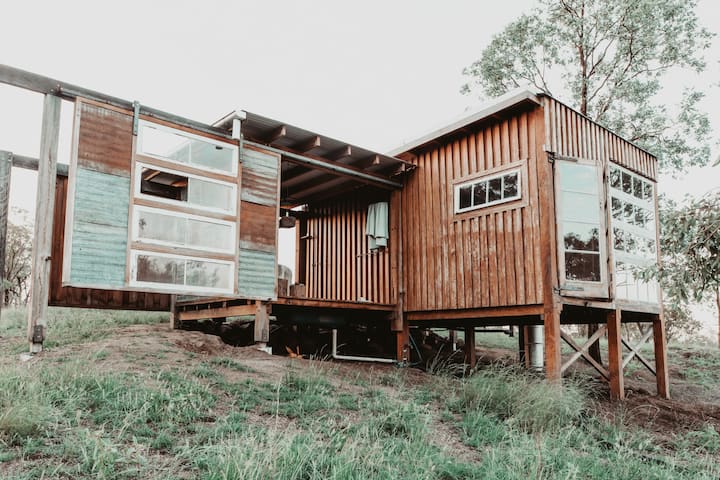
582 251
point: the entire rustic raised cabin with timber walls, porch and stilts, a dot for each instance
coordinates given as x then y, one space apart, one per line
524 214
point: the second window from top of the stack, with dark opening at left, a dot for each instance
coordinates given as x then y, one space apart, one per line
175 187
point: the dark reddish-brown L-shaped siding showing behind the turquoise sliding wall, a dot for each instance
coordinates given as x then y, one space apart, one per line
87 297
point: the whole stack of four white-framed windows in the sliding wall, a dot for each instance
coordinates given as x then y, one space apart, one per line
184 216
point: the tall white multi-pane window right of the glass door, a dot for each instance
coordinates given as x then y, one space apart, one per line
633 233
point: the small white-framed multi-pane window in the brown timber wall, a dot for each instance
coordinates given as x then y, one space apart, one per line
487 191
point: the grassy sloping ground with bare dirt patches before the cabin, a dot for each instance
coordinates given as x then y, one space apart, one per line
120 395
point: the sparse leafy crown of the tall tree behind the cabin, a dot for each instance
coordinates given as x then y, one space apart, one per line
608 58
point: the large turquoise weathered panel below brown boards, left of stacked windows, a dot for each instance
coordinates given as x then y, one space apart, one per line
100 229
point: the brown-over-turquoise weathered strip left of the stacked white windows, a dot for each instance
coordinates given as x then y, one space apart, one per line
98 197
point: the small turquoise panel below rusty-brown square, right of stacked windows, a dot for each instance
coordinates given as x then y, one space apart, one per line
256 275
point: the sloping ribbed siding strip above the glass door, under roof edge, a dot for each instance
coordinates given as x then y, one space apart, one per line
570 134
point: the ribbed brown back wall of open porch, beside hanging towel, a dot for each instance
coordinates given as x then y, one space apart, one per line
338 262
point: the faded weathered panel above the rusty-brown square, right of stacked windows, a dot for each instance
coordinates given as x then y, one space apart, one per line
260 177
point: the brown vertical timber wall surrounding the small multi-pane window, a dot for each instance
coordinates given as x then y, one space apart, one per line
486 257
